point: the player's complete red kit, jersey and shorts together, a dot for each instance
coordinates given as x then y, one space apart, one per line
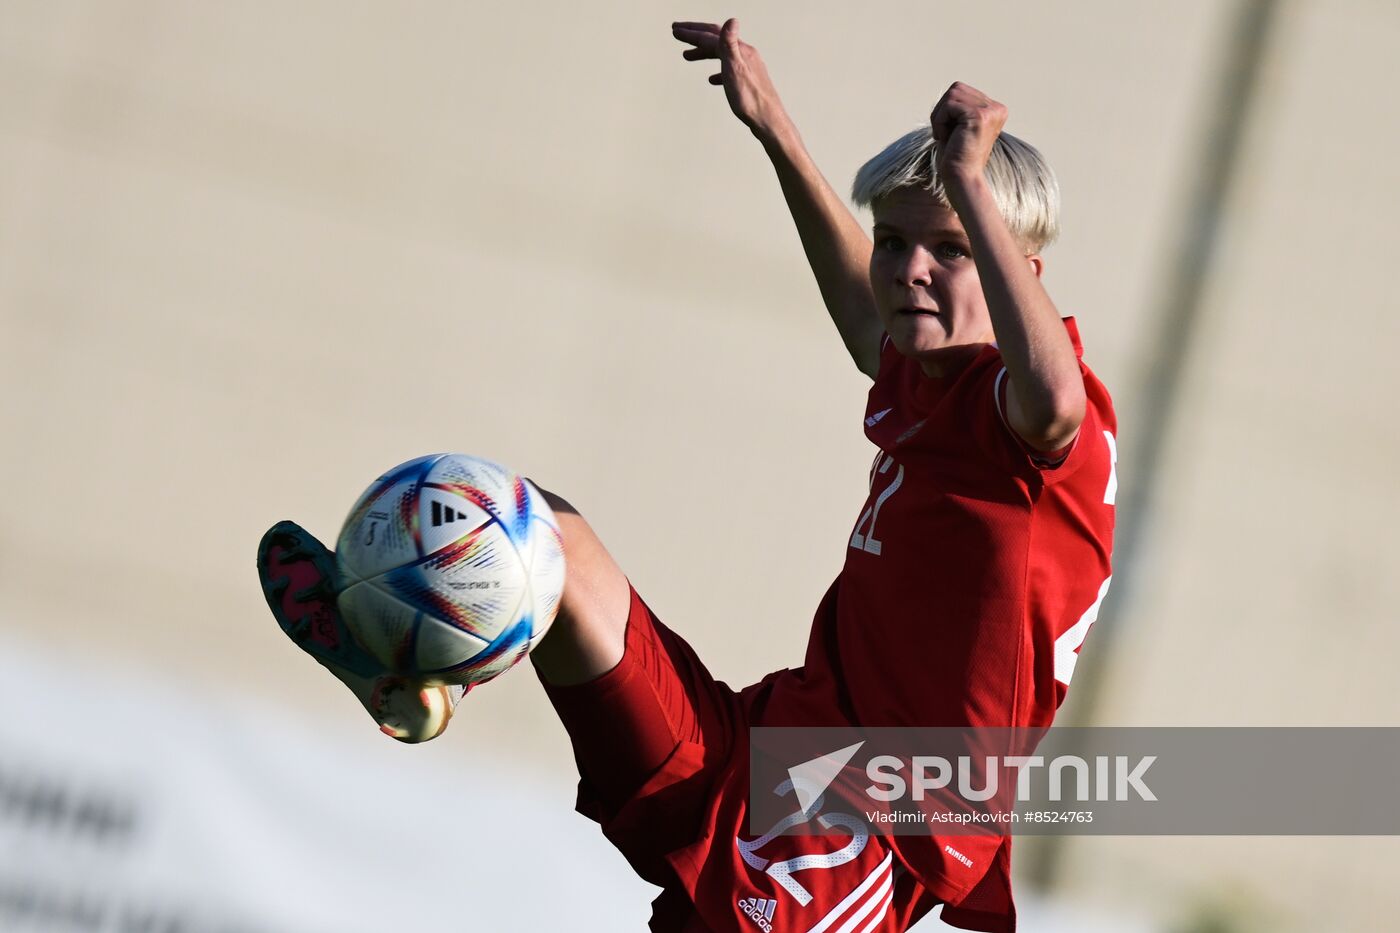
972 576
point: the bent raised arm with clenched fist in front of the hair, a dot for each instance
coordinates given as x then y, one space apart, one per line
1045 394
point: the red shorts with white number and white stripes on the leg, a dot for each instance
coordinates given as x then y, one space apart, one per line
663 760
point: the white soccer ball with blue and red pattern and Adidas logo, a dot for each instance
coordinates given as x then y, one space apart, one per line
451 569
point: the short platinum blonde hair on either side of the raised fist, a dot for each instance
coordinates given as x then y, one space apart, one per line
1023 183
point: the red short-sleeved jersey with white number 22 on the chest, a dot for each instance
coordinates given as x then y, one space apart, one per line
972 576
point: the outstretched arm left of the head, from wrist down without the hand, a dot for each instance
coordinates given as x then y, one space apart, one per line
835 244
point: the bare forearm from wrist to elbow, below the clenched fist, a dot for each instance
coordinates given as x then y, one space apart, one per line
1037 350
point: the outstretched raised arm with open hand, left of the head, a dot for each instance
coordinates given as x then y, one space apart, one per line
836 246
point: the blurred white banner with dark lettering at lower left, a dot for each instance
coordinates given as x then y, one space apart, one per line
139 809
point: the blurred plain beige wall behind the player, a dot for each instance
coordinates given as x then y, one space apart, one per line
254 254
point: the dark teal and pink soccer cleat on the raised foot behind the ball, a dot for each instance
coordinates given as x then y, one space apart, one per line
299 579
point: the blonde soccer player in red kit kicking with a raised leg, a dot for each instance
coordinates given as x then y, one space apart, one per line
974 571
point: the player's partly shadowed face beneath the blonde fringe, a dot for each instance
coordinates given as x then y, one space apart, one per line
925 281
